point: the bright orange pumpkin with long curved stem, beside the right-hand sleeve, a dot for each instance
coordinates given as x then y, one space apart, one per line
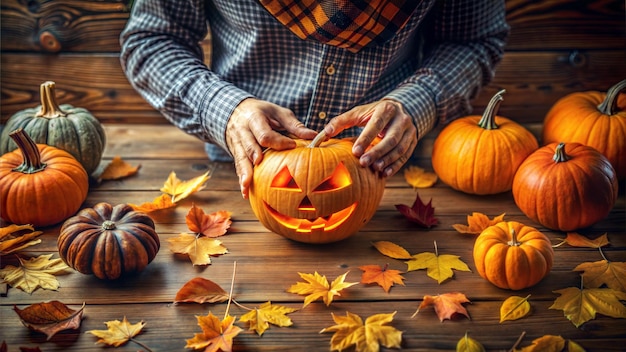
480 154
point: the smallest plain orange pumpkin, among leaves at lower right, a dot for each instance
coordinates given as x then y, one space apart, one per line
512 255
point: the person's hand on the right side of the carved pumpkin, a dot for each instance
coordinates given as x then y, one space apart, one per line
385 119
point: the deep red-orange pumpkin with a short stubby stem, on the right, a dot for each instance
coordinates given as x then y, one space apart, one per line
565 186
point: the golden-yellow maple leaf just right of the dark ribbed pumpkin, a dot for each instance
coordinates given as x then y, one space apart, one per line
198 248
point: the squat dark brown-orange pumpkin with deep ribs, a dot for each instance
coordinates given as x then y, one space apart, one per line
108 241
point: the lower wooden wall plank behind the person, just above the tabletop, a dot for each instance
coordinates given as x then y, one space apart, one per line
533 80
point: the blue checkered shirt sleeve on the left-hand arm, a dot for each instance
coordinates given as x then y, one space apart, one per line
163 61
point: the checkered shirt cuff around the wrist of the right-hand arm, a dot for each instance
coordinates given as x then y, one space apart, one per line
419 102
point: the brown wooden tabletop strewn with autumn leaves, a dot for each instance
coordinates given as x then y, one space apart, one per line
268 264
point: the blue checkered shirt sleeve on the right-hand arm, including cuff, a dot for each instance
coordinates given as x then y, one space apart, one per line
463 47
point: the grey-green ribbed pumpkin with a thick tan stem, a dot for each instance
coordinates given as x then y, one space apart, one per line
72 129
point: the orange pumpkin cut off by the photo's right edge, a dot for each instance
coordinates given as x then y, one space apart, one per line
593 118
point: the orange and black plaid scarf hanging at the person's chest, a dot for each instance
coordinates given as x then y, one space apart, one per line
349 24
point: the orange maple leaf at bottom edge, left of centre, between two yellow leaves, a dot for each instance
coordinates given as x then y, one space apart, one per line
216 335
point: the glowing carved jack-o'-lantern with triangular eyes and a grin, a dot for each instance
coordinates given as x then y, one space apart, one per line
315 193
